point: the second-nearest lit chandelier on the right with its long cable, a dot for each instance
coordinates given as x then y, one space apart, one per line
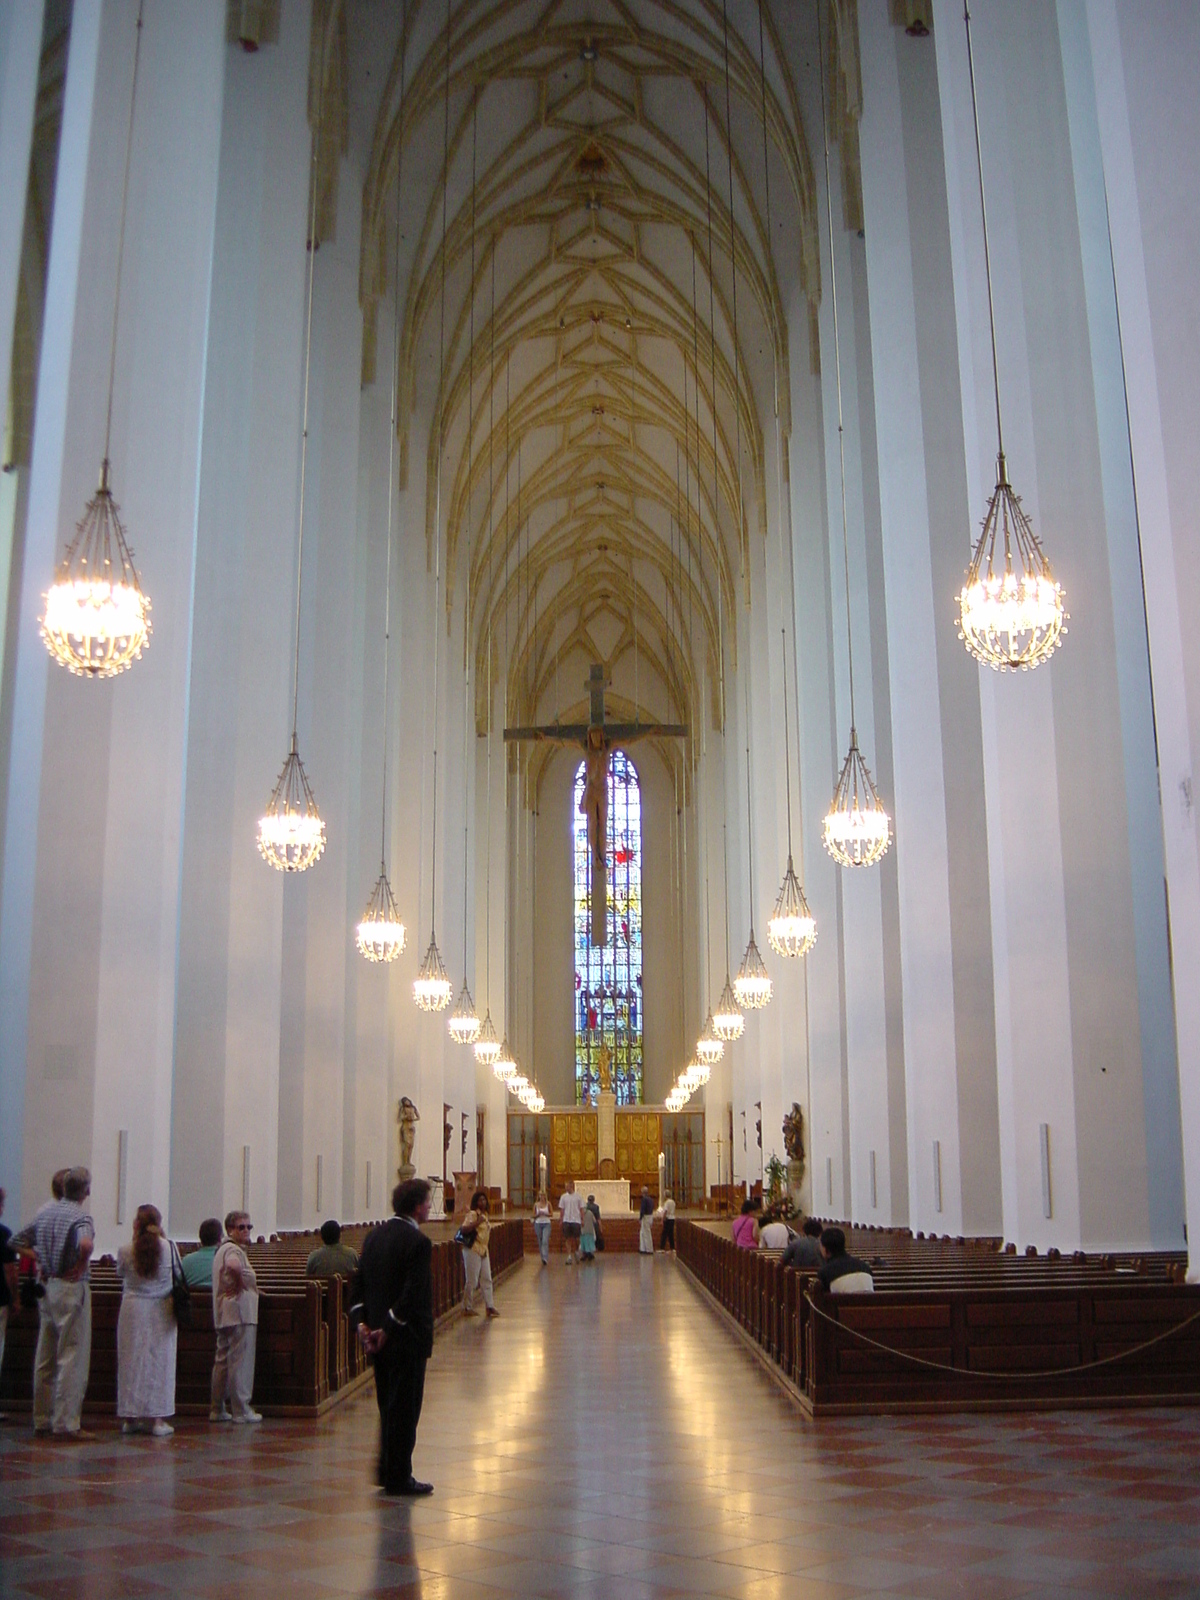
857 830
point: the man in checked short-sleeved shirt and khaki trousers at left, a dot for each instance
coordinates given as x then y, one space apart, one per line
65 1238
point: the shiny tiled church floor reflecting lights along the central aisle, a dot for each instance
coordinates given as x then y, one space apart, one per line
609 1439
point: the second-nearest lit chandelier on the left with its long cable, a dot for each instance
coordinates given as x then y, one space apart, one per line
292 833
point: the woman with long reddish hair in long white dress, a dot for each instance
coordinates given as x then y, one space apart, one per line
146 1329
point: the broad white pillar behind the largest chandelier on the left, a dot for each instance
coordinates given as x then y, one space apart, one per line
94 830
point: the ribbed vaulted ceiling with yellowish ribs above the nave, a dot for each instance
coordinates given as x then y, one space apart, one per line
606 436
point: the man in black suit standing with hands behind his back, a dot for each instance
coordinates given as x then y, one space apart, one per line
394 1308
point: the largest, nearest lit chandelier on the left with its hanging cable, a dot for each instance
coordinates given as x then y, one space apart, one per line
97 620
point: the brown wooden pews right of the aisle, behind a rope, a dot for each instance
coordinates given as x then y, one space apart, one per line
978 1337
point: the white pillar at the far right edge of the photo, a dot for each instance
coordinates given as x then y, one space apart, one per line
1151 145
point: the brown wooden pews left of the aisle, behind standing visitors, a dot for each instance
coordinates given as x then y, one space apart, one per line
306 1358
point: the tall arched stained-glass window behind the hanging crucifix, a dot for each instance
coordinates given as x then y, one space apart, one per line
609 978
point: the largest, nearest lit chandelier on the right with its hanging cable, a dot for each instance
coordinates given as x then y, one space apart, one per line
1012 610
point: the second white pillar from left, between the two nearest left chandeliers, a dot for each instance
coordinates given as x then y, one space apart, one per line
228 1036
